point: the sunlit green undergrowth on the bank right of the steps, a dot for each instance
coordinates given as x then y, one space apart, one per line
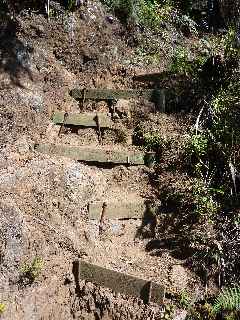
206 204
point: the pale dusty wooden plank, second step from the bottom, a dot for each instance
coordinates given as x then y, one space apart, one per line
122 210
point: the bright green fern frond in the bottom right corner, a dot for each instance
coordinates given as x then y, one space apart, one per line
228 300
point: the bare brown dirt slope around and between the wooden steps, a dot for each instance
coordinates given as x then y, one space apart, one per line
44 198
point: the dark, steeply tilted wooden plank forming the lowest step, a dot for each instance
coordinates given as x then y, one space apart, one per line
122 283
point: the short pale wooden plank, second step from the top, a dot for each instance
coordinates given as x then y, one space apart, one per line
83 119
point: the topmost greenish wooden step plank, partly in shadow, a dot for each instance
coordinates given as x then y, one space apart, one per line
109 94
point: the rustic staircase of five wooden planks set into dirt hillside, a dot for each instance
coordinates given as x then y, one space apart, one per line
125 206
